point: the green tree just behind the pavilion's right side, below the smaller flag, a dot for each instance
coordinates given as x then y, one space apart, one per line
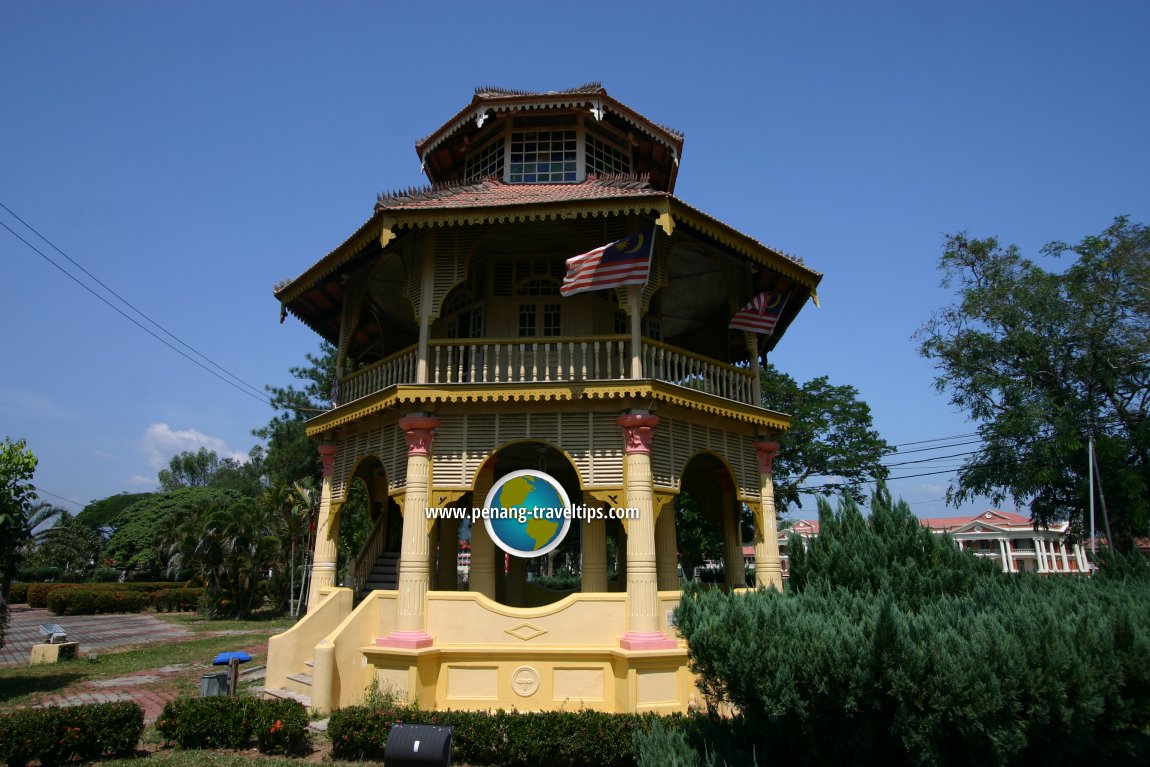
832 438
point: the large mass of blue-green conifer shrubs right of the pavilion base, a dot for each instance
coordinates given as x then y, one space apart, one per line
894 647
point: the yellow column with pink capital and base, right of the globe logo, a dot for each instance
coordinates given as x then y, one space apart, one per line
642 582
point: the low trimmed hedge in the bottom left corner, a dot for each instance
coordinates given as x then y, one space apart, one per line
53 737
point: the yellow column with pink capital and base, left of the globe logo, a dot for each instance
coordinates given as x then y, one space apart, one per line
411 617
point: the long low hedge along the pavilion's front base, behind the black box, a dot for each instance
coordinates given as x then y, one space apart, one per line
553 739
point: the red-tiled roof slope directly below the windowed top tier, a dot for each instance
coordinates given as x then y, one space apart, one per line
494 193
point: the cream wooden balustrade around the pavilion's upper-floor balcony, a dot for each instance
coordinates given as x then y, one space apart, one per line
558 361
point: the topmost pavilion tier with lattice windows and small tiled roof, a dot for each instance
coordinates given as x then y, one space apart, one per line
556 137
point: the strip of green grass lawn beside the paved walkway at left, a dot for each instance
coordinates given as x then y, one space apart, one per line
18 684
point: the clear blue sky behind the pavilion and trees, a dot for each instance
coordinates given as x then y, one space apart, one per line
191 156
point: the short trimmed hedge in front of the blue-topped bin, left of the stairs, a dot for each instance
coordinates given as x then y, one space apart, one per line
233 723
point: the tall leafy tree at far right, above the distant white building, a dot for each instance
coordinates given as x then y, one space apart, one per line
1044 361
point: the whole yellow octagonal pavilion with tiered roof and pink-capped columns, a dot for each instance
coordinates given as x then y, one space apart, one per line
461 362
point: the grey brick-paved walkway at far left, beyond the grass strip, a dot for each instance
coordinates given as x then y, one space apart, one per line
93 632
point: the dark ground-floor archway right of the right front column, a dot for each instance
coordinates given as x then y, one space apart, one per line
710 525
